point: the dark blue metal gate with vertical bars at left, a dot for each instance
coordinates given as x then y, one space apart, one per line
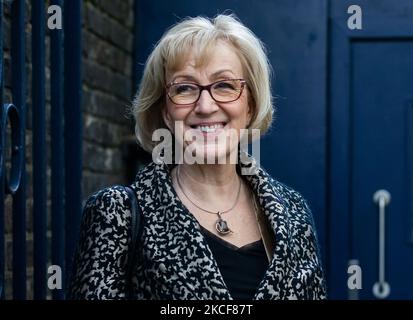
65 142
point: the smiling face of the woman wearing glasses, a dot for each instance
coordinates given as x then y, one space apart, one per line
214 125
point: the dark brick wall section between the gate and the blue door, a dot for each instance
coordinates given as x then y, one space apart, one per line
107 90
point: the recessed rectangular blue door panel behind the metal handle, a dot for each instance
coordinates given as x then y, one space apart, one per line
382 84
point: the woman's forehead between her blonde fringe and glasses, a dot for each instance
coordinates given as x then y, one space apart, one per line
210 60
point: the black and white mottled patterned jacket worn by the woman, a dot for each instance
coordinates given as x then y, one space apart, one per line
174 260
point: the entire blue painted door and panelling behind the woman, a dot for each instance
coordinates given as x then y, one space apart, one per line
344 124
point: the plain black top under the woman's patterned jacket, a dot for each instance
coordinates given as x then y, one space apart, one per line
242 268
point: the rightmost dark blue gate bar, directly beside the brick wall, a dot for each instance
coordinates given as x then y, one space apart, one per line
73 125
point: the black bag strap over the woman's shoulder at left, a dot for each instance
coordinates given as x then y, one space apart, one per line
136 232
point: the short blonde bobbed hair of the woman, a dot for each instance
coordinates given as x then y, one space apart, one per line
196 35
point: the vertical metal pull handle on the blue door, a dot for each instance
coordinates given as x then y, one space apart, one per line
381 289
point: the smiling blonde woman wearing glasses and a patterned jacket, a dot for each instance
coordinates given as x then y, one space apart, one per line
209 232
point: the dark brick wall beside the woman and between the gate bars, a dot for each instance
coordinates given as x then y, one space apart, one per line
107 88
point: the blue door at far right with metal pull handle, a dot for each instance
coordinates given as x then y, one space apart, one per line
371 144
